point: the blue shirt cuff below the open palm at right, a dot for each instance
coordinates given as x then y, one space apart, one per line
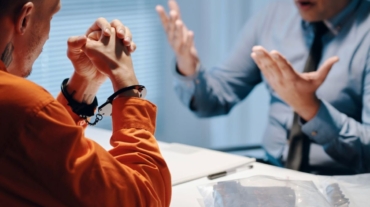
325 126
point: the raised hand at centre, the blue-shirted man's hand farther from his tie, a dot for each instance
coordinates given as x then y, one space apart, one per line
180 38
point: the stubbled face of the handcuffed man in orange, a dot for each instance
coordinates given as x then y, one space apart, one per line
26 48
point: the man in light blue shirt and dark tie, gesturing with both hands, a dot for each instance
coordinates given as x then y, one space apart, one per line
333 102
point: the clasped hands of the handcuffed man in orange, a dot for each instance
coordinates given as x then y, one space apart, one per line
103 52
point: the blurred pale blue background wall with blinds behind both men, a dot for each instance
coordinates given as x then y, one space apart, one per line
216 24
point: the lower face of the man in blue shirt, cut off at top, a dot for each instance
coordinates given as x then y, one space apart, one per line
318 10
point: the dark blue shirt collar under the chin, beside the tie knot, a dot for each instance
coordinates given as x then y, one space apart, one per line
335 23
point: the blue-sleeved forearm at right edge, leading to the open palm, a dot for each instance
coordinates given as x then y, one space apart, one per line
343 138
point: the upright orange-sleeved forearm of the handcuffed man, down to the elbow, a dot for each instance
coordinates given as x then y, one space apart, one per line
134 142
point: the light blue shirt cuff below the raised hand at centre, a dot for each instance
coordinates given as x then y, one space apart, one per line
185 85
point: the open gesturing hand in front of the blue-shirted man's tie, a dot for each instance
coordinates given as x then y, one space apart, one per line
297 89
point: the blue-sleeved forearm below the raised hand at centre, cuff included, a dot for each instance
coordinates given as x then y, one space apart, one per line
214 92
